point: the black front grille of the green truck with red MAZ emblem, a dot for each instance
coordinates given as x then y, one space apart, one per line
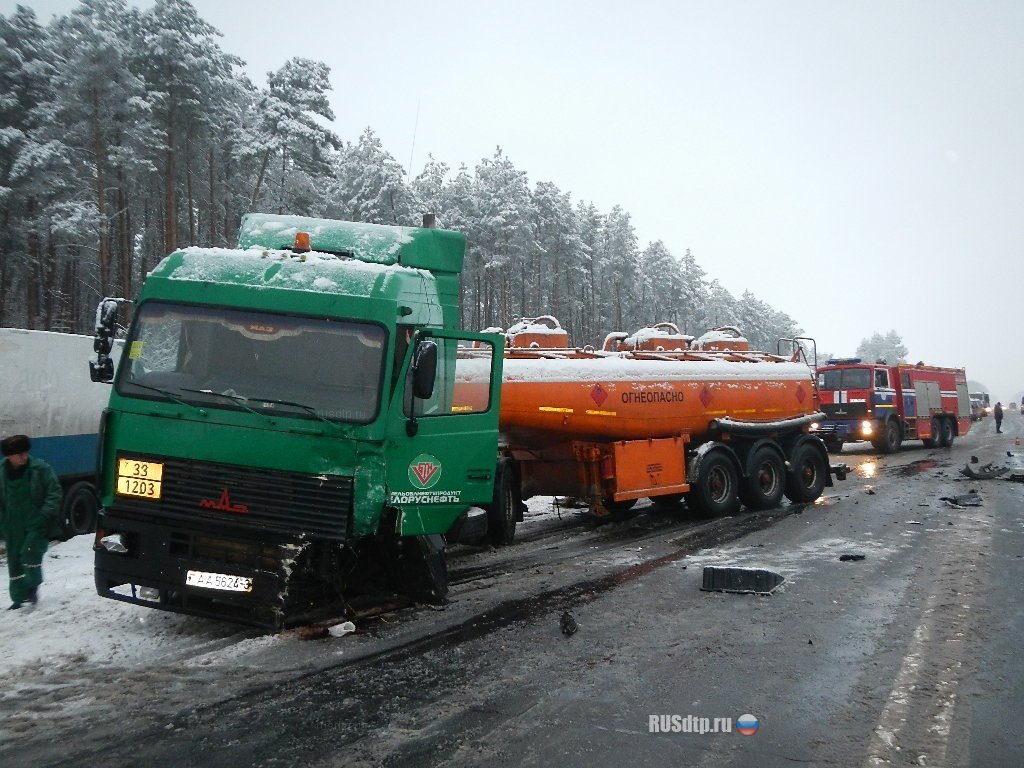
315 506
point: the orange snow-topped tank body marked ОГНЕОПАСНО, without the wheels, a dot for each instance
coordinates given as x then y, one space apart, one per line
646 391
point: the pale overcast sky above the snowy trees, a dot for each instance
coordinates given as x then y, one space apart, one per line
856 164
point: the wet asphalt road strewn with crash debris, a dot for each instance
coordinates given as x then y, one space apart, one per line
908 657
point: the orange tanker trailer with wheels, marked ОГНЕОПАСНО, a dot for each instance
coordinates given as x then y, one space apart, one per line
659 415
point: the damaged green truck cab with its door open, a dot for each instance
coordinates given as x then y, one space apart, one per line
287 425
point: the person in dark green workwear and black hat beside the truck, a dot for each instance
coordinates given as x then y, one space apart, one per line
30 499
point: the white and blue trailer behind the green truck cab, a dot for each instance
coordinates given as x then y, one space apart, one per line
47 394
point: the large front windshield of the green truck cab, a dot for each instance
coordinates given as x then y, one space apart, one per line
308 368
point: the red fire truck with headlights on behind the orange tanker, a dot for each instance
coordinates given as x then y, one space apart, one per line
890 404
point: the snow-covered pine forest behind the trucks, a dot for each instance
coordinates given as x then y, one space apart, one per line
126 134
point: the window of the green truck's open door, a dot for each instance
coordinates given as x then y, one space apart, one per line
463 381
